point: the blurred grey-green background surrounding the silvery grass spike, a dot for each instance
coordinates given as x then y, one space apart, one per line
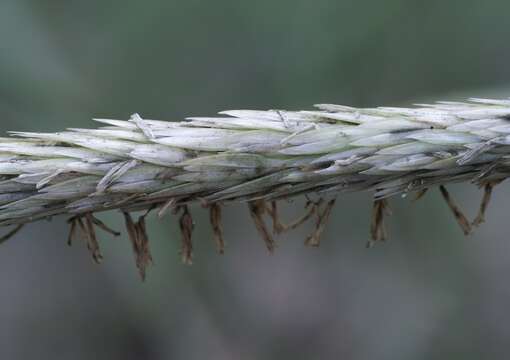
428 293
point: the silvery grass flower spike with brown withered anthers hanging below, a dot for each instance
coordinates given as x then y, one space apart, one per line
257 157
